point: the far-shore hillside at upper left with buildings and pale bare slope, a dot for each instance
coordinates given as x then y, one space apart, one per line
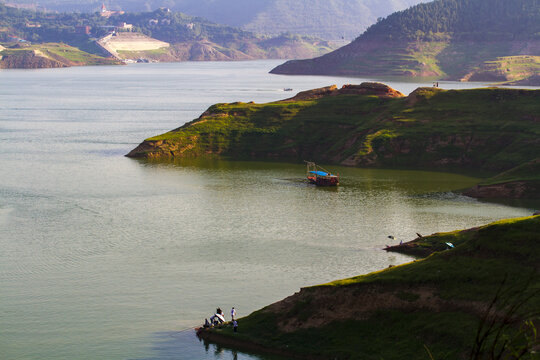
189 38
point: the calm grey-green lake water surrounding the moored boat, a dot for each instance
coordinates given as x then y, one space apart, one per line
108 257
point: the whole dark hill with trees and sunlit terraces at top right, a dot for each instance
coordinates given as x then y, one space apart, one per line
482 40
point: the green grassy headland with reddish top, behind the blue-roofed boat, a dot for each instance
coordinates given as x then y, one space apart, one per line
492 129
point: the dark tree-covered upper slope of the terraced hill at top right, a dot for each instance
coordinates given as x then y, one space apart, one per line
484 20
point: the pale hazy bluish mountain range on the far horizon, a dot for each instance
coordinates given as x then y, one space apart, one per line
328 19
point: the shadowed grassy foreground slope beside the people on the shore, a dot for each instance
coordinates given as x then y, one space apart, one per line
478 300
